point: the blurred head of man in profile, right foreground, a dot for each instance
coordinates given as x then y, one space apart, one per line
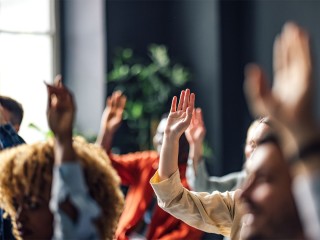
270 212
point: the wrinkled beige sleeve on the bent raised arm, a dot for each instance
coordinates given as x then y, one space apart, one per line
208 212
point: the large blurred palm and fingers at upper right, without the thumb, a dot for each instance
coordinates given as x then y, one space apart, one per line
291 89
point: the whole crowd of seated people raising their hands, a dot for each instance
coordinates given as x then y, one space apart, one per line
66 188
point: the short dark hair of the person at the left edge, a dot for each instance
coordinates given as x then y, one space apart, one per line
15 109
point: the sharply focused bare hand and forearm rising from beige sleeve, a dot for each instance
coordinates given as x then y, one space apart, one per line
178 121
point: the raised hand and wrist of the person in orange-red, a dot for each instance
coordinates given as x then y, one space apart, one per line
111 119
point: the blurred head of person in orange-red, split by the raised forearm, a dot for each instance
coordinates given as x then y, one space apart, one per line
183 142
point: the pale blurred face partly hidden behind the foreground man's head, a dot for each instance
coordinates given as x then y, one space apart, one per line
256 131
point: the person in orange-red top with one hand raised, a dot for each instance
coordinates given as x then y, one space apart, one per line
142 218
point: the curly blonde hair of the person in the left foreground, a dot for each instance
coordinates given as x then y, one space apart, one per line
27 169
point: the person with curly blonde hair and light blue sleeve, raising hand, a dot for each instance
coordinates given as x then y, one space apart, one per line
75 177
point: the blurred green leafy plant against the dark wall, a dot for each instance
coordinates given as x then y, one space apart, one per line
148 84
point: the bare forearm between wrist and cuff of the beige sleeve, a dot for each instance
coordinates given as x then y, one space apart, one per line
168 157
